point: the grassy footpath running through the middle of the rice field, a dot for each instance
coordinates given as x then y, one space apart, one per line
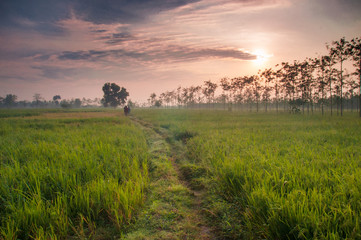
172 209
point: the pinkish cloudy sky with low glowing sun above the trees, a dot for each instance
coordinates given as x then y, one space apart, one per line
72 47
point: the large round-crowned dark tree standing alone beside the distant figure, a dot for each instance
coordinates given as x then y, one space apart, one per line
114 95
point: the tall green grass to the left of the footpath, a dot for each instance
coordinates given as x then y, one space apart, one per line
70 177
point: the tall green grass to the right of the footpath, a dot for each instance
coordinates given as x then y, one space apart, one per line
286 176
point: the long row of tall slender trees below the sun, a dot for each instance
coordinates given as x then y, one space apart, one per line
321 83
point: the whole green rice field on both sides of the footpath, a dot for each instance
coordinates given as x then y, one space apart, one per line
86 174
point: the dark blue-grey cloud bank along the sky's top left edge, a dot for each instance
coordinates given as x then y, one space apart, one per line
44 14
